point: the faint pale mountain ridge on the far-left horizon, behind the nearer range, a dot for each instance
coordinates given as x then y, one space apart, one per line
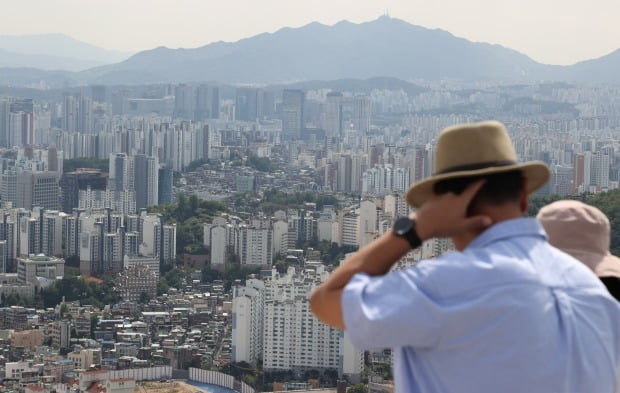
54 52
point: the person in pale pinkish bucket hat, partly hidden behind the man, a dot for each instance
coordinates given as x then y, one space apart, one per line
583 231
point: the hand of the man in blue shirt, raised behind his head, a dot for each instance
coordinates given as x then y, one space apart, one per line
445 215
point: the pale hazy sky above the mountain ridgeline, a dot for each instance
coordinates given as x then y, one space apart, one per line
550 31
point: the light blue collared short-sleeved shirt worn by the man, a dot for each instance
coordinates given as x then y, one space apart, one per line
508 314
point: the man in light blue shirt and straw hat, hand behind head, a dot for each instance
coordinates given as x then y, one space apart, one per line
507 312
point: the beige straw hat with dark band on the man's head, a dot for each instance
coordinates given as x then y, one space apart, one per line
475 150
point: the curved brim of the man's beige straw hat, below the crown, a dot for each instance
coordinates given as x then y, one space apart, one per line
536 174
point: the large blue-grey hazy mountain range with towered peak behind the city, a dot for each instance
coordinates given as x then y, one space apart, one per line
384 47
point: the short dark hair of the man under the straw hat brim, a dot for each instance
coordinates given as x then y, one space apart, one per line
498 189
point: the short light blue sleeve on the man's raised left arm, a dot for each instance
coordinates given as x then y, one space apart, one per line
389 311
